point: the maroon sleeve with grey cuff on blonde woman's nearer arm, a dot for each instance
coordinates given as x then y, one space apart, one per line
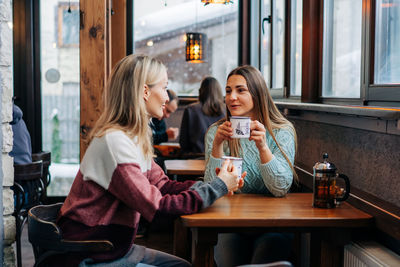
134 189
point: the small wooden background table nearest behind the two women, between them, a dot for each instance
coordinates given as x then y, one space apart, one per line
185 167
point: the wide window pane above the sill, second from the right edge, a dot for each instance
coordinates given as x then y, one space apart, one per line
342 48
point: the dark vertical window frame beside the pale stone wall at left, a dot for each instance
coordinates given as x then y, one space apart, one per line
26 67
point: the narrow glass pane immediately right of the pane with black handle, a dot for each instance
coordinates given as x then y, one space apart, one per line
278 44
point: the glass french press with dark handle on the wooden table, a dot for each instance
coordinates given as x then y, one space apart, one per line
326 193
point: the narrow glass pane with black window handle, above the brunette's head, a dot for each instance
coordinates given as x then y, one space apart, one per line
265 49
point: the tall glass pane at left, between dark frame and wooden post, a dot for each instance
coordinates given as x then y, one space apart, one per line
59 56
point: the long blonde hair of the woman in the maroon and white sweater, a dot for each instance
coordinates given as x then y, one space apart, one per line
124 105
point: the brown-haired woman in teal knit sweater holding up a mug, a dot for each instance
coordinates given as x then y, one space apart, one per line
268 157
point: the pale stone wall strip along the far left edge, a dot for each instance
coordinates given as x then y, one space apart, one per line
6 135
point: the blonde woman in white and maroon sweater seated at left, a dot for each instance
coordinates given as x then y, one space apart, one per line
118 181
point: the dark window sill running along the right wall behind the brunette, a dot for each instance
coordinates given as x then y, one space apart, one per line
383 120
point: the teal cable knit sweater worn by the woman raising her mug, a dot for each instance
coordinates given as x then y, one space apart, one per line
274 177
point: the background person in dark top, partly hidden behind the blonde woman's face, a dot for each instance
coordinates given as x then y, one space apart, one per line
160 132
